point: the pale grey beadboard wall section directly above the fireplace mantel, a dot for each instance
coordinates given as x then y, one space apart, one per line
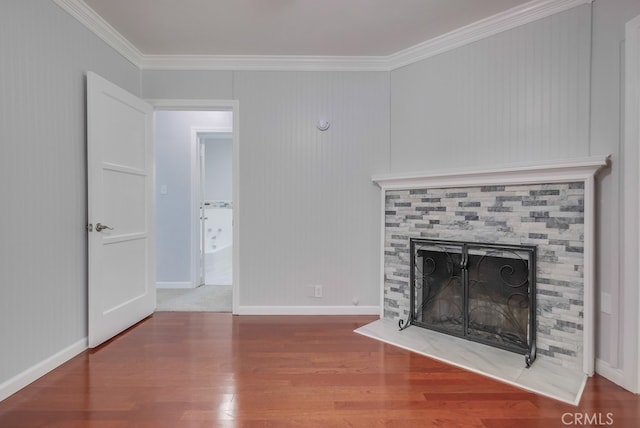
521 95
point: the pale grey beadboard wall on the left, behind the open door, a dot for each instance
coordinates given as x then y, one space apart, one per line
44 55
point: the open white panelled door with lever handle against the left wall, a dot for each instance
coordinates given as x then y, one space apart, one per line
120 178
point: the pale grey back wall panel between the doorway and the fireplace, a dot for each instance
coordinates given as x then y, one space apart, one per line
309 212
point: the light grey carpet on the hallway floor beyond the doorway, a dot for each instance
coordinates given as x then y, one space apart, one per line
207 298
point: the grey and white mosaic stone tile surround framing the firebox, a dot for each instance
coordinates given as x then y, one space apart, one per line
549 215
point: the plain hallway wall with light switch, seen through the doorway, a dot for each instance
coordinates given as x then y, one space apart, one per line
174 215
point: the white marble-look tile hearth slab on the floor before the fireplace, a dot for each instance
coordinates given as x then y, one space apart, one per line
543 377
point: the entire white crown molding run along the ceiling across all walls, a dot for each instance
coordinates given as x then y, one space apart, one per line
514 17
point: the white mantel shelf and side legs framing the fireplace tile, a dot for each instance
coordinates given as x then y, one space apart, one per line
561 171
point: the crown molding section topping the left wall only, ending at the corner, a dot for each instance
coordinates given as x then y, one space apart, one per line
101 28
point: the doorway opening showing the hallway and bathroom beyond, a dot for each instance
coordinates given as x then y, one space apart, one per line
196 205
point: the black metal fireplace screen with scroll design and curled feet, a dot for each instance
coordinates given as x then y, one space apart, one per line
480 292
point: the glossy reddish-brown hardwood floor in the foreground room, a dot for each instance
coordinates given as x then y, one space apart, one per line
194 369
